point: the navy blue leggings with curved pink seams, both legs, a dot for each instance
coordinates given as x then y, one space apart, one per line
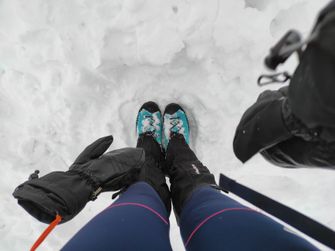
210 220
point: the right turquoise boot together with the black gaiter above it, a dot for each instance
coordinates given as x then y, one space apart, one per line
186 172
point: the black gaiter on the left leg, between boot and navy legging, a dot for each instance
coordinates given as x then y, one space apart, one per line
152 170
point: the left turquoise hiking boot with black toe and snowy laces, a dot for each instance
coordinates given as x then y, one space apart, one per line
149 121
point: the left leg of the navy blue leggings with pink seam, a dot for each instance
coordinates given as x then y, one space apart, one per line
126 225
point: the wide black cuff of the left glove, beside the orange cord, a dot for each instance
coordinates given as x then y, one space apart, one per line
62 193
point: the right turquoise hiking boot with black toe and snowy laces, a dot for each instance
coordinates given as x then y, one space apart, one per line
175 123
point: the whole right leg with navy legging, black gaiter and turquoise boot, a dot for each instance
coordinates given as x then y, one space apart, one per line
208 219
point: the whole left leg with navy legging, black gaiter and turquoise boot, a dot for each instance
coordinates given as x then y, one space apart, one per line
138 220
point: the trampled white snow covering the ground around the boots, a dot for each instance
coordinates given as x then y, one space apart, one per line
72 71
